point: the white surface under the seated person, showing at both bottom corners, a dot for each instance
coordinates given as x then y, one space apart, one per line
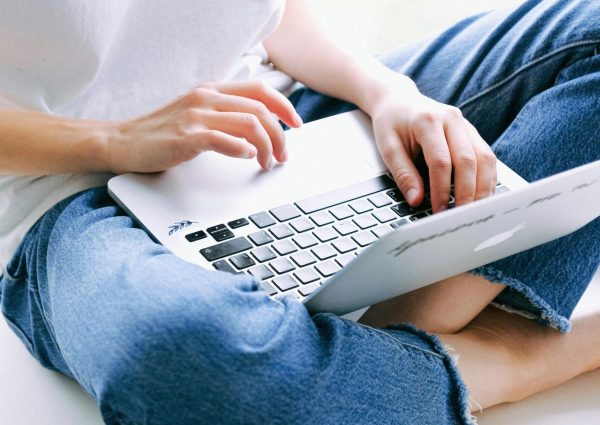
31 395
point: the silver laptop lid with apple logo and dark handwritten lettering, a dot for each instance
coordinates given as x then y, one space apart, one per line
458 240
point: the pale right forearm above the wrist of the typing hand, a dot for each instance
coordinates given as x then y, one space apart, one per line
303 50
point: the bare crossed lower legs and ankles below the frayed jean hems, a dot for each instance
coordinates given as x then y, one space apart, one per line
502 357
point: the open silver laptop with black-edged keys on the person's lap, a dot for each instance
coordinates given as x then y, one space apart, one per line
330 228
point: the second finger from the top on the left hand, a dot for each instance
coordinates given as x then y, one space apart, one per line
230 103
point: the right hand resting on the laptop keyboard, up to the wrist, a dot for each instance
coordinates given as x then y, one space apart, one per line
407 123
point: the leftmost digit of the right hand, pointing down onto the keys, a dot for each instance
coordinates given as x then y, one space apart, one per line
400 164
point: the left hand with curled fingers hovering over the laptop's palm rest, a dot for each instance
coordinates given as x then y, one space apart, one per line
237 119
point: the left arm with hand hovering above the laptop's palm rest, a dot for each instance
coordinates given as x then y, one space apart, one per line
215 117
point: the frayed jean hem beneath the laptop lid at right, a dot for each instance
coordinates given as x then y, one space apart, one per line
519 298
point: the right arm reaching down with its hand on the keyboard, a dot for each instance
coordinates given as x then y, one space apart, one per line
405 122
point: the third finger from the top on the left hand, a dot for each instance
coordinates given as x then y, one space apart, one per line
240 124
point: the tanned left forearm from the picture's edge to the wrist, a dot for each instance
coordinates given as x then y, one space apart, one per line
33 143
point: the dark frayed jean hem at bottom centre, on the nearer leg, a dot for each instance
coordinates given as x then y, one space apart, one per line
414 339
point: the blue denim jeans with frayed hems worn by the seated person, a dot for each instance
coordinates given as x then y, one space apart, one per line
156 340
